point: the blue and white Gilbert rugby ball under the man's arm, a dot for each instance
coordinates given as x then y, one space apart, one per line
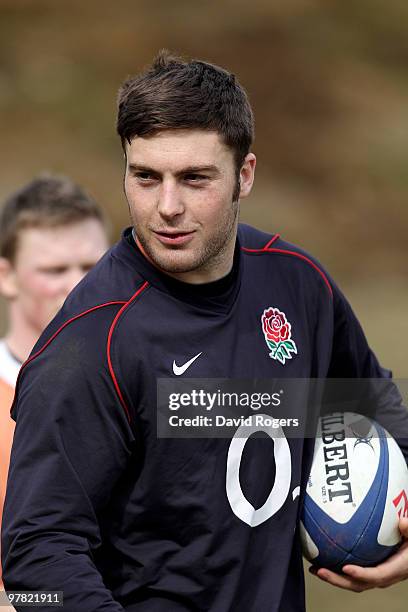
356 492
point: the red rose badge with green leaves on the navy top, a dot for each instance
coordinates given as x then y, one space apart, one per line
278 335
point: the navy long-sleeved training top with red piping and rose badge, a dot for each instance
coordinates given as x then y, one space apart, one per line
98 507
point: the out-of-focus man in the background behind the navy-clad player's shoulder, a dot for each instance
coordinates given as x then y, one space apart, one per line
51 234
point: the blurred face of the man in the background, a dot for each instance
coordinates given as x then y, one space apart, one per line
49 263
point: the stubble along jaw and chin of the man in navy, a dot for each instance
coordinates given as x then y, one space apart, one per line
206 258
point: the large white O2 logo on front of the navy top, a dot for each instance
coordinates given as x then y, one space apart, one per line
240 506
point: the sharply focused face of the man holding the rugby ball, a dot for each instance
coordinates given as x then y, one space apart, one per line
179 185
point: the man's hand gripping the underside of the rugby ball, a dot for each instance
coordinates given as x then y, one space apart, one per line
358 579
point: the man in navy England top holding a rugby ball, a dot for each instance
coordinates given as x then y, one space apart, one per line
98 505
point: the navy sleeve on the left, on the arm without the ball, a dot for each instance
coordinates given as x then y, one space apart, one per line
72 443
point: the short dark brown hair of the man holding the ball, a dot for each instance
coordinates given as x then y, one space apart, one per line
175 94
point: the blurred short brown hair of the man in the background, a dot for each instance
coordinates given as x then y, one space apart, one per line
46 201
